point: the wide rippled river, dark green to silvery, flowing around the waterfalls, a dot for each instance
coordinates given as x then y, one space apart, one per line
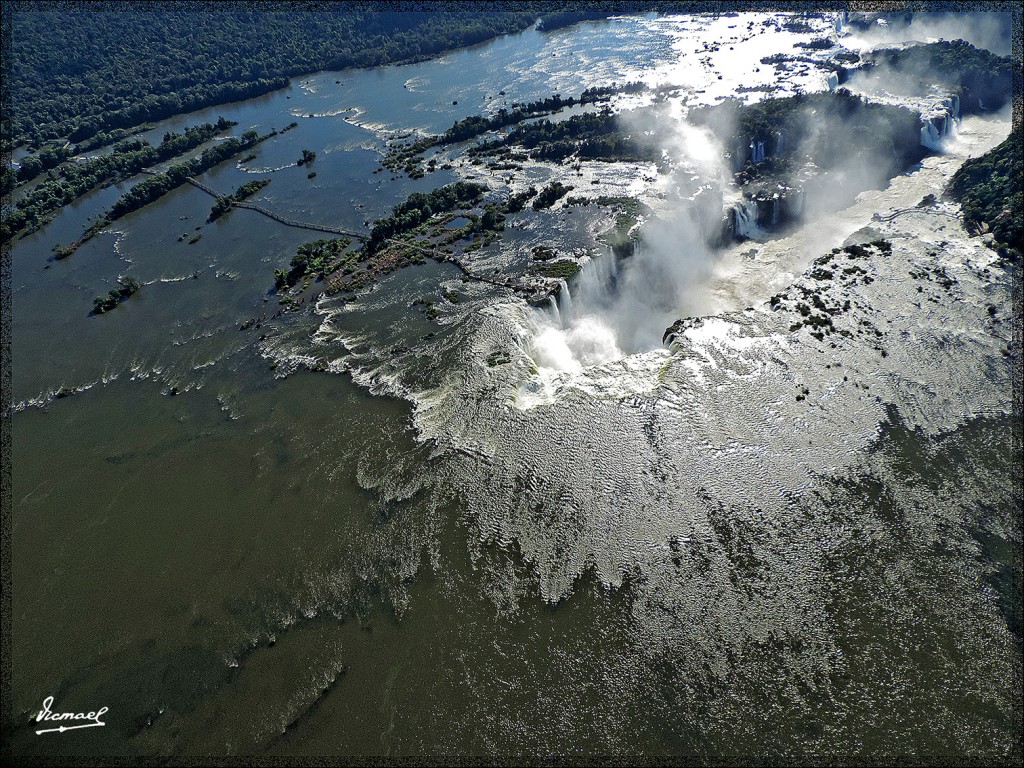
347 532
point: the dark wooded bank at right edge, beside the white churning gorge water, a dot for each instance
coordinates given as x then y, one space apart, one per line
991 190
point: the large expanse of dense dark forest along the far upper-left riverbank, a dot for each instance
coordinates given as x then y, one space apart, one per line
74 75
